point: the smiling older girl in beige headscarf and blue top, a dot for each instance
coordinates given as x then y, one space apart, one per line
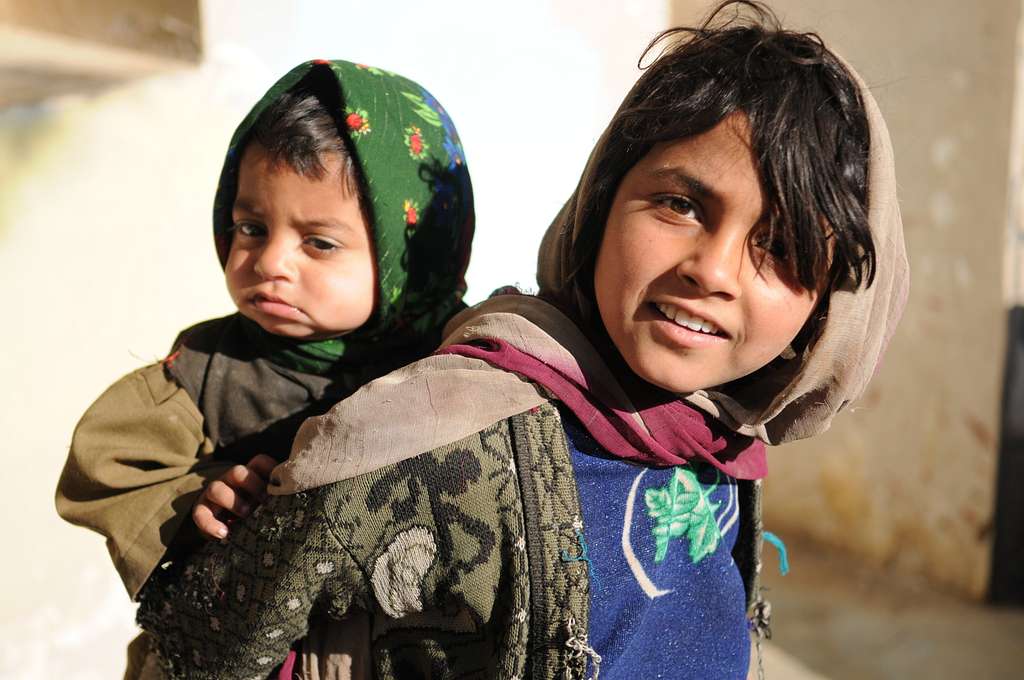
571 486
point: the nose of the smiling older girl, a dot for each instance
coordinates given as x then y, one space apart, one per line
714 264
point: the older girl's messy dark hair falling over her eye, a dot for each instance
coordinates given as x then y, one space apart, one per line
809 135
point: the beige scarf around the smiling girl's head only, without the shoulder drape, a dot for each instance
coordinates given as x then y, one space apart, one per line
799 398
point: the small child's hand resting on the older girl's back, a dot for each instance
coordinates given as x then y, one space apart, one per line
235 495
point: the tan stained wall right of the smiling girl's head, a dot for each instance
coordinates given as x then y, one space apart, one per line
907 479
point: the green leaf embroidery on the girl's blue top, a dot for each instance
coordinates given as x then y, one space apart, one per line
684 508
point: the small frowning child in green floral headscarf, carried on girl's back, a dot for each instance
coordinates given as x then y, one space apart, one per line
344 223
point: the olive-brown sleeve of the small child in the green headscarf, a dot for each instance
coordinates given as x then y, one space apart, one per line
139 458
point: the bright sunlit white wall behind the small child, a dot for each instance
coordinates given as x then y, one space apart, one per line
106 250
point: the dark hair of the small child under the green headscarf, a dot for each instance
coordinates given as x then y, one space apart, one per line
300 131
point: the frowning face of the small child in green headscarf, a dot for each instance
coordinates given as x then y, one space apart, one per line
302 263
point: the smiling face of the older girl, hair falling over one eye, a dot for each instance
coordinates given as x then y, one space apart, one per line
677 279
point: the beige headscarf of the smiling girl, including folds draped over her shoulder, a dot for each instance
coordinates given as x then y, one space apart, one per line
446 398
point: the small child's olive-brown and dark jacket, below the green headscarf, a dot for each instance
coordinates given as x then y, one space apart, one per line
146 448
